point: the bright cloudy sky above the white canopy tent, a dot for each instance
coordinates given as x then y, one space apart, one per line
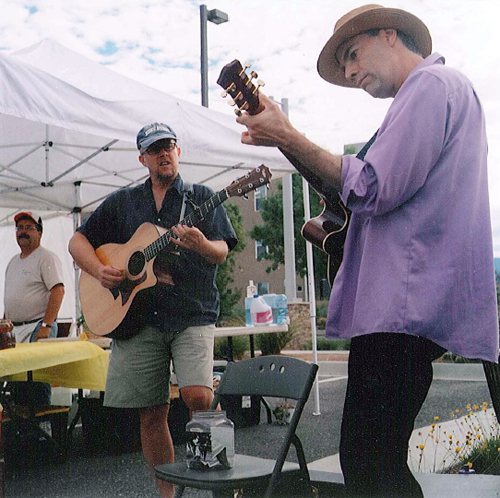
157 42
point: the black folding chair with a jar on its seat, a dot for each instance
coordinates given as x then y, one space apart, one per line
271 376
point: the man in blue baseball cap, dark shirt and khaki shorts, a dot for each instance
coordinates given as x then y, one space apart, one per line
177 315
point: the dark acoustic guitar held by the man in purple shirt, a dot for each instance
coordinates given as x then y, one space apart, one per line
326 231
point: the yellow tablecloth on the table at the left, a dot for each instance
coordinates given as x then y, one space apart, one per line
77 364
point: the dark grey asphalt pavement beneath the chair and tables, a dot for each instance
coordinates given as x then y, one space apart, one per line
115 473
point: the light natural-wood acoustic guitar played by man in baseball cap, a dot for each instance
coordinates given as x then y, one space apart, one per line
106 310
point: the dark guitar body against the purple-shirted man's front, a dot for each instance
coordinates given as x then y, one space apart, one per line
327 232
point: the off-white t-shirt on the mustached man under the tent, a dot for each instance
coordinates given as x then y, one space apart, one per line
28 283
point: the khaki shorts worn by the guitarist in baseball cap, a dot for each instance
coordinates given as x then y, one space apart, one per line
139 368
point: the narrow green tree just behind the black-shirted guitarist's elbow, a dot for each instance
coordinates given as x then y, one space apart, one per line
229 297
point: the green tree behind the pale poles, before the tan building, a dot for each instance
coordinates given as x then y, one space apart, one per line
271 233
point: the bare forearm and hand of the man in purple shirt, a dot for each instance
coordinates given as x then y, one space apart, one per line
271 128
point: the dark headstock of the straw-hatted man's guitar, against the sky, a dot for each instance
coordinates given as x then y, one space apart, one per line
240 86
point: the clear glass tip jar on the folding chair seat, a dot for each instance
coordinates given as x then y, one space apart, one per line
209 441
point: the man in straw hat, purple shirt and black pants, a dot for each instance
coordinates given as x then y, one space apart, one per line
417 275
